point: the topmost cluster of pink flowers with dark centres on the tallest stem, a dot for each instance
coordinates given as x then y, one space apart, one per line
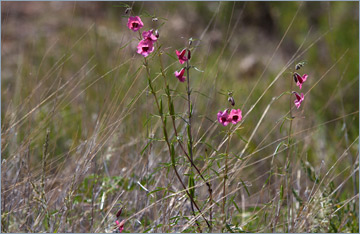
146 45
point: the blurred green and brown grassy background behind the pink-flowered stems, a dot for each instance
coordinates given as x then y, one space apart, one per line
71 68
